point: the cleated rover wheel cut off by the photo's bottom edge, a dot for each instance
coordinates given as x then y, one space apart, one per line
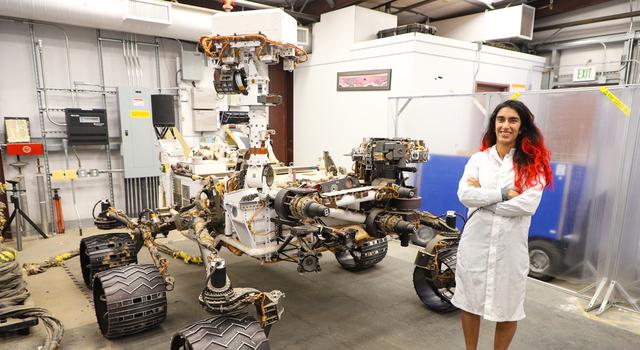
235 331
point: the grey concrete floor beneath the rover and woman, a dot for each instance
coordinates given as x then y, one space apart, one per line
333 309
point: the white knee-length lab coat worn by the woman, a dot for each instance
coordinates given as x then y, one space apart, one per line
493 255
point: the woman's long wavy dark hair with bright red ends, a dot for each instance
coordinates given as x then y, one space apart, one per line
531 159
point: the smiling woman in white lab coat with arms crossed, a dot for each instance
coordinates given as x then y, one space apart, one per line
502 186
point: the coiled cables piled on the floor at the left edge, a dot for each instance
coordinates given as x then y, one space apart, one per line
13 293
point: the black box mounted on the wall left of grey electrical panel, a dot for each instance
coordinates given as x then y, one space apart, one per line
86 126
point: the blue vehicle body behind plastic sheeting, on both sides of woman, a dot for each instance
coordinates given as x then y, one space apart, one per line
438 188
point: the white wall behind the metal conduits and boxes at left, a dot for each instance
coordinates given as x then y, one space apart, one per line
18 99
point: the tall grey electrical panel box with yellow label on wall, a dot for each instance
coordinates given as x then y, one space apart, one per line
140 147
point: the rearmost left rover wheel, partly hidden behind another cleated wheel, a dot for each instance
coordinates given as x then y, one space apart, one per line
106 251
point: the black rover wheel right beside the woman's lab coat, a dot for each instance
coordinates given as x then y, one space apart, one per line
434 297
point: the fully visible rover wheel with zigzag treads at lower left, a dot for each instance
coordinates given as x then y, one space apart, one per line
129 299
